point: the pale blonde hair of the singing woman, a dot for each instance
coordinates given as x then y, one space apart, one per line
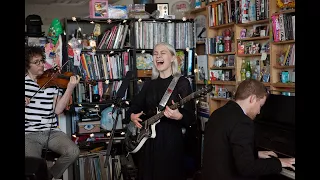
174 64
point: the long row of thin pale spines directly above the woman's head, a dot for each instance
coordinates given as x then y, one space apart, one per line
178 34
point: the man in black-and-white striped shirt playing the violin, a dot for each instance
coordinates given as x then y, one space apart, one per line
41 108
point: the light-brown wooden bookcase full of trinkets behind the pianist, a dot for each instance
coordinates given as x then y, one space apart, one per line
268 58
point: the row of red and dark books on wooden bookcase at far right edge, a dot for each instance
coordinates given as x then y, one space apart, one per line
283 27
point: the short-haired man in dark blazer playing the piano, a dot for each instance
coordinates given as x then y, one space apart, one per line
229 150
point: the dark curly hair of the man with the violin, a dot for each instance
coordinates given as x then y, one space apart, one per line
31 51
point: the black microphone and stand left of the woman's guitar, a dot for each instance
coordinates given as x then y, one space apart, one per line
112 175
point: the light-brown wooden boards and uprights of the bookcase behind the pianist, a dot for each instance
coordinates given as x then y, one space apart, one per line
274 48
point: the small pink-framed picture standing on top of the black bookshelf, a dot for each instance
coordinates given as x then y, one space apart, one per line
98 8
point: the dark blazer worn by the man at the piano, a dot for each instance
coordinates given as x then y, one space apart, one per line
229 151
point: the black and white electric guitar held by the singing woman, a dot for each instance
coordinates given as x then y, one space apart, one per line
135 137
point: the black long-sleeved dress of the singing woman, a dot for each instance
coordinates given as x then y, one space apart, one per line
161 158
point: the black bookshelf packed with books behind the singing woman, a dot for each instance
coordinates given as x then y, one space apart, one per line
142 35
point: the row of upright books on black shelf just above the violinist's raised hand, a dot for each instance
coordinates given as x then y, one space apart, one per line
104 66
